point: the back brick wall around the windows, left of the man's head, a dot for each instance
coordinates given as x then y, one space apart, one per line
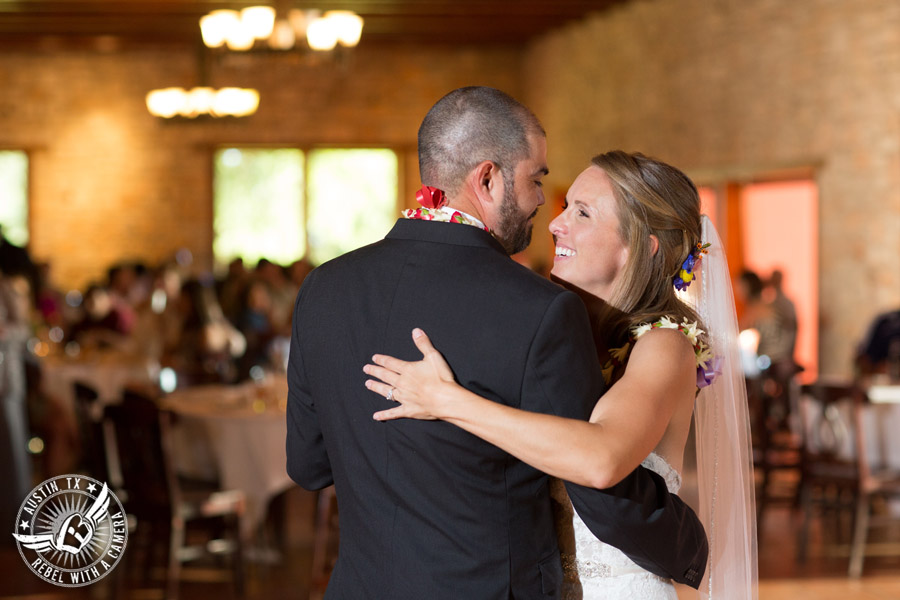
111 182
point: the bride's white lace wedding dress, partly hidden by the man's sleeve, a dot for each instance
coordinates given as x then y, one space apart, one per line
594 570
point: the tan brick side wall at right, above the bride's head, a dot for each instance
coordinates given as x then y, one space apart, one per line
747 86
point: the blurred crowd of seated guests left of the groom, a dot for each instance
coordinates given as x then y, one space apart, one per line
205 329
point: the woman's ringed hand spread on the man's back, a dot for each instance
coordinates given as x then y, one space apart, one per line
421 388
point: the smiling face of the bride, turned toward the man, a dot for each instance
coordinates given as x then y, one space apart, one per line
590 253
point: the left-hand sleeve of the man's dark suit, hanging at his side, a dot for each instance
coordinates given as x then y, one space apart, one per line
307 458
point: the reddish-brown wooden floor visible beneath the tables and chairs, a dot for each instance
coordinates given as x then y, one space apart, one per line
822 577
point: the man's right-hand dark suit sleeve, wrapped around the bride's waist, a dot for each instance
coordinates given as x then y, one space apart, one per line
639 516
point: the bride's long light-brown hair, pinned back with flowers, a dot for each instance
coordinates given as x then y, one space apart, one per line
652 198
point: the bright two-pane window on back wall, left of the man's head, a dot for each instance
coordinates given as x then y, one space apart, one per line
284 204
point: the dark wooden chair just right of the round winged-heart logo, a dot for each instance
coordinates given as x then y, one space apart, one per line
157 499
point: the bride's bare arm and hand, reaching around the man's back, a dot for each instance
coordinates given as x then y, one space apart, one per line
625 426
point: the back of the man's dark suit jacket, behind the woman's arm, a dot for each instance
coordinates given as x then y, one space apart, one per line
426 508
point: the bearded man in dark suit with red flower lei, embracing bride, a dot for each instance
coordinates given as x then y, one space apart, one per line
428 510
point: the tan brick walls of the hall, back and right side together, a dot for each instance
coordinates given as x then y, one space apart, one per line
713 86
